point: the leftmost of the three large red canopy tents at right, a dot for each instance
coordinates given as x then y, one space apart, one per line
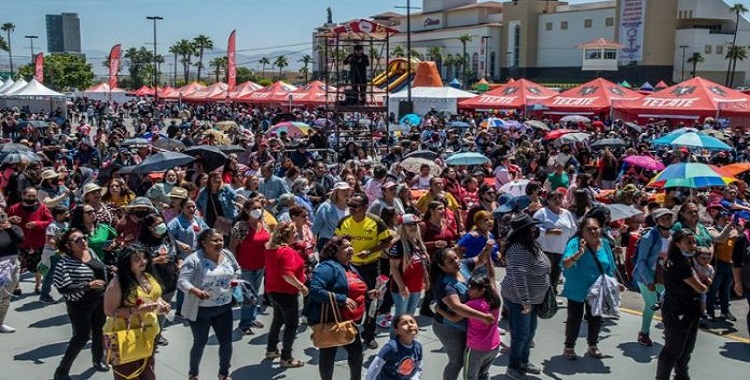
518 94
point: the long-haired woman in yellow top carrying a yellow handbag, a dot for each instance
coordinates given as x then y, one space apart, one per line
121 300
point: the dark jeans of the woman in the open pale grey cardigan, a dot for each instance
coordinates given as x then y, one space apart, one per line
220 318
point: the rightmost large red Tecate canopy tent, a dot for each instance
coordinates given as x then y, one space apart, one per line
691 99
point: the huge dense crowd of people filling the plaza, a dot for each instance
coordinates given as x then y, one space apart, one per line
322 225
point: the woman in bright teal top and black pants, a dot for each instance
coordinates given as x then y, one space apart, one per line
583 257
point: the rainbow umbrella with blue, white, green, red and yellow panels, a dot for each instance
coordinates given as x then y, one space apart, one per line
692 175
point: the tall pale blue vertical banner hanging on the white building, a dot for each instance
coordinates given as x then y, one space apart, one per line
632 18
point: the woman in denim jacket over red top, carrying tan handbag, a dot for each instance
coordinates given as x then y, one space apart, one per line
335 277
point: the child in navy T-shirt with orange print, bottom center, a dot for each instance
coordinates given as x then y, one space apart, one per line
400 358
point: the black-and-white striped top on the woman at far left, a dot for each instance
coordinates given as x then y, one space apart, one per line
72 277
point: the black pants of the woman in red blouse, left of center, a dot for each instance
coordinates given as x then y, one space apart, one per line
285 313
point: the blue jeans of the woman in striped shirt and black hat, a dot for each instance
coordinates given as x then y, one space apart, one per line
523 329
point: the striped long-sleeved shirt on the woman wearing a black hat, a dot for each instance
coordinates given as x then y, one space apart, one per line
526 275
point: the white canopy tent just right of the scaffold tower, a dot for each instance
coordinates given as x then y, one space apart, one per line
425 98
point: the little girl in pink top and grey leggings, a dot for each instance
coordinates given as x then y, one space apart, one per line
482 339
